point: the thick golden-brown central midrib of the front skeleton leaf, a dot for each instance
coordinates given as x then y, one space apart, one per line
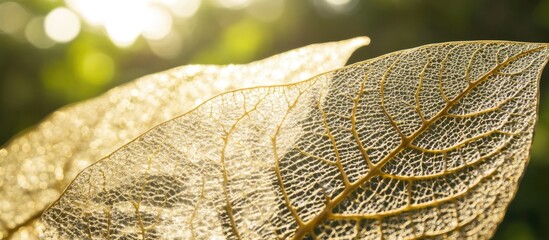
309 225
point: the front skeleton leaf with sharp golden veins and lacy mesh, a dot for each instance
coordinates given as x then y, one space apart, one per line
423 143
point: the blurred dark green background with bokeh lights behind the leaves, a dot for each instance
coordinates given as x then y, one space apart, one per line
54 52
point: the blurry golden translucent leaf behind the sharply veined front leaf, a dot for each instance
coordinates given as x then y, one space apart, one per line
36 166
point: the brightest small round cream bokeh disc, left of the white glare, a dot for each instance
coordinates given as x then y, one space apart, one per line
62 25
